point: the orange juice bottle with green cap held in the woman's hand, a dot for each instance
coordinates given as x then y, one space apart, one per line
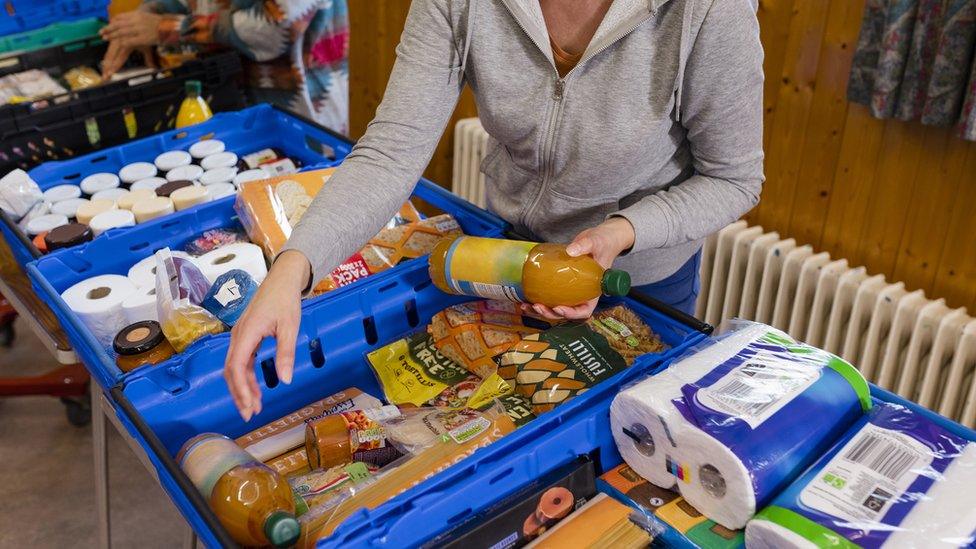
521 271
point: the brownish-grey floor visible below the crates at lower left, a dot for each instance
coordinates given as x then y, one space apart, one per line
46 486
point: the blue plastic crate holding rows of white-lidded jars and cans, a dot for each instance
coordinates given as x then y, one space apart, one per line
243 132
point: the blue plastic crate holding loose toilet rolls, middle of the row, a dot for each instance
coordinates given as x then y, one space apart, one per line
117 250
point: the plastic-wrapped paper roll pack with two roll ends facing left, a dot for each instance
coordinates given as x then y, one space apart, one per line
734 422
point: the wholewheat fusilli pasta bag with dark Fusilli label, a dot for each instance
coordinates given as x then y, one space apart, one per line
553 366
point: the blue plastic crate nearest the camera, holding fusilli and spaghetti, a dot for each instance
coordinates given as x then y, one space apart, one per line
166 406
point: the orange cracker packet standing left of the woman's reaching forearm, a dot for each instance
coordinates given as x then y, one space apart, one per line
270 208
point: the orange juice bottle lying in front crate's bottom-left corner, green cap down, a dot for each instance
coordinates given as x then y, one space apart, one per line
250 499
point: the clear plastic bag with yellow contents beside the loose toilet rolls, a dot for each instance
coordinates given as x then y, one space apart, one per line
180 288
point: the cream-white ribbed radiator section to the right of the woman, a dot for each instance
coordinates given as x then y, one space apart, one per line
900 340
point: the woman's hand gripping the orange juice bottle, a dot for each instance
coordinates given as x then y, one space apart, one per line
604 242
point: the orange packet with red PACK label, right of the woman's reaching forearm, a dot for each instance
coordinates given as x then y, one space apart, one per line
406 236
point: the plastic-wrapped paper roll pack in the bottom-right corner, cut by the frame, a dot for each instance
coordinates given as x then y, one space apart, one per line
895 479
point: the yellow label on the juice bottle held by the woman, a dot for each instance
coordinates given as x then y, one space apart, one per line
487 267
